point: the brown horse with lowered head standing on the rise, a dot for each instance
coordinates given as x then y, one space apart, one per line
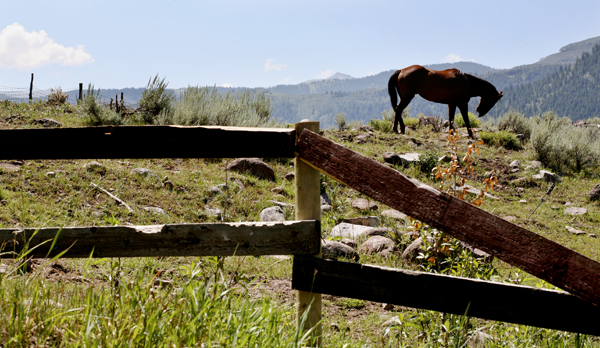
452 87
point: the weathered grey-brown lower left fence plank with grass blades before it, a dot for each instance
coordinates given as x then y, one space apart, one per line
207 239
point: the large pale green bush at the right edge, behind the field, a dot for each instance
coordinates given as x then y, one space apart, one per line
561 146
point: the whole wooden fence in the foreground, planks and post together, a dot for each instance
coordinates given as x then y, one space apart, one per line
312 276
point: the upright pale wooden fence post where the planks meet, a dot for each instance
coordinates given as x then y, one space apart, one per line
308 207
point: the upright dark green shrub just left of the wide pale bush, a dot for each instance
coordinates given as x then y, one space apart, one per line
155 100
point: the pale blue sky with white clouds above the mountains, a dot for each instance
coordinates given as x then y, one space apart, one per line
120 44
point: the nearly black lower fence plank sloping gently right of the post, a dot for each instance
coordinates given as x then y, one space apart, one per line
487 300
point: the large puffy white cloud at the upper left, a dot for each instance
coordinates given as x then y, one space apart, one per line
23 50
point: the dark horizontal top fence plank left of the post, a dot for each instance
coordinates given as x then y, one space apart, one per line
146 142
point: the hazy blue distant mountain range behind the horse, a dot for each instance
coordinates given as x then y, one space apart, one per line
365 98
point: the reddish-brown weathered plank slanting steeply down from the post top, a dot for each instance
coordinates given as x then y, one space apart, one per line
515 245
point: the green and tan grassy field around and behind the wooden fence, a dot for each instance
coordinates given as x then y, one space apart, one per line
245 301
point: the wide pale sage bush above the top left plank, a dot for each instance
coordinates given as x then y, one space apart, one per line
205 106
